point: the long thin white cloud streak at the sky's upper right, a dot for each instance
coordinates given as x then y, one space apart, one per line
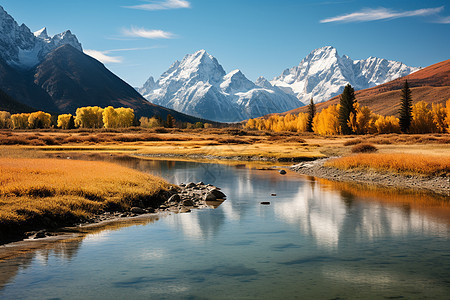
382 14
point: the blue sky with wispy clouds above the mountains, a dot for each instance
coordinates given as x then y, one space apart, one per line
138 38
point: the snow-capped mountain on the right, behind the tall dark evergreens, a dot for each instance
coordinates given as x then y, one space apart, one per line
323 74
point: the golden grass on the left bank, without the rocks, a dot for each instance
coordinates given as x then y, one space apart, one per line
46 192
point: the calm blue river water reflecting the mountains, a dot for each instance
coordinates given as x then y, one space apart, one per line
317 240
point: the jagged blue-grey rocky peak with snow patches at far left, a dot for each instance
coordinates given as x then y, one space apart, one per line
21 48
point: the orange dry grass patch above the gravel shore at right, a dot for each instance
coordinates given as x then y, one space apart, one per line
399 162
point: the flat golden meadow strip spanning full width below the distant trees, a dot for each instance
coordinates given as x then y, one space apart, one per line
219 142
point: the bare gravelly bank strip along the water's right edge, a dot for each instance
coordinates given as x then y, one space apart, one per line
432 184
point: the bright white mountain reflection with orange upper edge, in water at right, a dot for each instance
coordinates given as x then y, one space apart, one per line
338 216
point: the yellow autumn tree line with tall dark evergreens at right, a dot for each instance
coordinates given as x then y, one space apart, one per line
348 117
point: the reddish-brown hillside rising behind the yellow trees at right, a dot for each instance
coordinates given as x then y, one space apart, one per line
431 84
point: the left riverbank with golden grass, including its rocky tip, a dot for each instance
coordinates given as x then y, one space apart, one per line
39 196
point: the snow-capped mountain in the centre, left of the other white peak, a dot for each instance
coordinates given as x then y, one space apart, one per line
199 86
